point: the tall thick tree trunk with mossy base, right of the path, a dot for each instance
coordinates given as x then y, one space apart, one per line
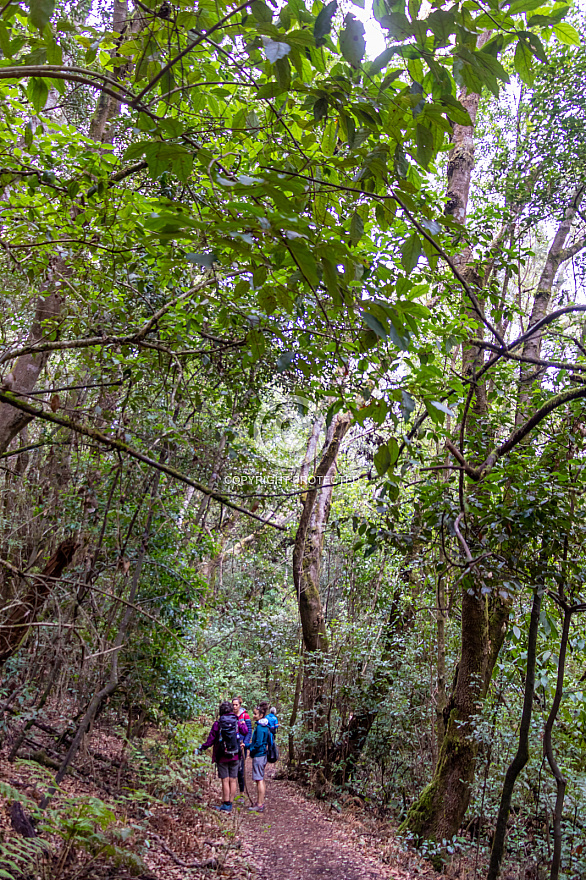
440 809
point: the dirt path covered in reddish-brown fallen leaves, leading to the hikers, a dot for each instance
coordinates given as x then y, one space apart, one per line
295 840
